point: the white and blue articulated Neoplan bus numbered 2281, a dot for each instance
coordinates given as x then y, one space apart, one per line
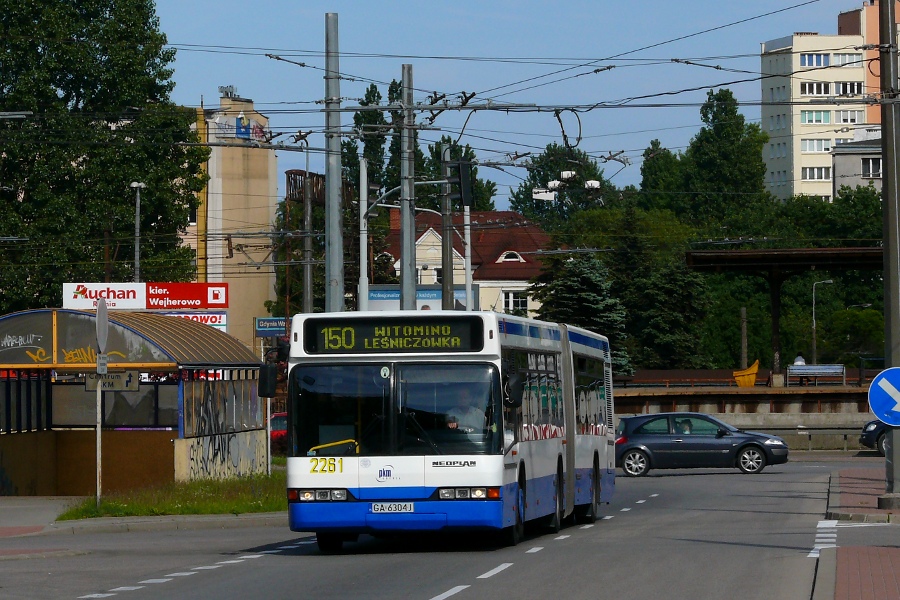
407 421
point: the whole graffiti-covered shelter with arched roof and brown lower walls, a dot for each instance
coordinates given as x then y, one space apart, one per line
181 402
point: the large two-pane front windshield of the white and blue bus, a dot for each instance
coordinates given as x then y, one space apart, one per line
395 409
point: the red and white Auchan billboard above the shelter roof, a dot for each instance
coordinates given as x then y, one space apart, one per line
146 296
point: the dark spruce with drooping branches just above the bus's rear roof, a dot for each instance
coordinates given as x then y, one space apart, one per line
578 291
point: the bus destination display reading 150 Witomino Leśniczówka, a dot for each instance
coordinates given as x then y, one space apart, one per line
390 335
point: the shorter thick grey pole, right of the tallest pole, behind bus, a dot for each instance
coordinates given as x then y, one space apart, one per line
407 195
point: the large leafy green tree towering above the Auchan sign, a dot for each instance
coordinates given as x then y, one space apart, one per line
95 75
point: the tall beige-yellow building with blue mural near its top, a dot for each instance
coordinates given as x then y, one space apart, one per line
232 231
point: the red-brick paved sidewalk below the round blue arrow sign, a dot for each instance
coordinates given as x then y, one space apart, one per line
858 572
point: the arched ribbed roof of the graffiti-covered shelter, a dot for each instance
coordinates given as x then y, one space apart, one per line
66 340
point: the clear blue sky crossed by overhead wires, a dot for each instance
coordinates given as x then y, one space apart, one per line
536 55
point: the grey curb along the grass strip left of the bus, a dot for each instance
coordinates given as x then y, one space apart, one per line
166 523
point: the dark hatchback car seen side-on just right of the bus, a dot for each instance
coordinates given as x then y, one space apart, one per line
681 440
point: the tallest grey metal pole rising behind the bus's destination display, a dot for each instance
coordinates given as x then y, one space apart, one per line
334 237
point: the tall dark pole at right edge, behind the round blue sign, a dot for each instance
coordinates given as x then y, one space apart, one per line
891 235
